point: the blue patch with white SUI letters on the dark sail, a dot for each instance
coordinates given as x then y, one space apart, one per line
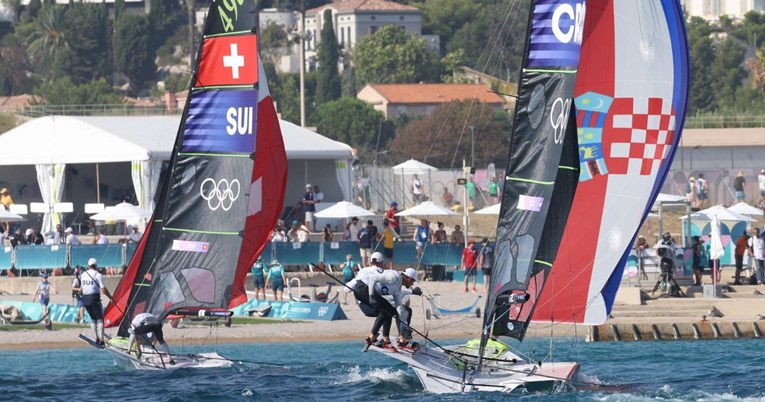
221 121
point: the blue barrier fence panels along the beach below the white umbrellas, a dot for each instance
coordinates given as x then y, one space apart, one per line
35 257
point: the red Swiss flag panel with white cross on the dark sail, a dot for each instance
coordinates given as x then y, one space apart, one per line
228 60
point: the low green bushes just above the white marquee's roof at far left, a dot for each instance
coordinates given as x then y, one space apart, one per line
63 92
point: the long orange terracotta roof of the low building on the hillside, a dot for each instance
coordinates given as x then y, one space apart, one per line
435 93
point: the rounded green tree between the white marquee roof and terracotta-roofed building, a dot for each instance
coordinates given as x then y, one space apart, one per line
351 121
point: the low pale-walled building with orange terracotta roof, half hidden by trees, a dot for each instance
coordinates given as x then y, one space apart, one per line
421 99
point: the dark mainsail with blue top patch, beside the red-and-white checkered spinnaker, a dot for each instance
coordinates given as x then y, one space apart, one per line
531 214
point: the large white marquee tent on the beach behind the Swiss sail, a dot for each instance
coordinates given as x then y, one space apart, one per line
146 142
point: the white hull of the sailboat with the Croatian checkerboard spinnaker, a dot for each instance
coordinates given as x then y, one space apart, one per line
438 374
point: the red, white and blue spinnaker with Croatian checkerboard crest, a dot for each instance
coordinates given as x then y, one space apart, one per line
630 98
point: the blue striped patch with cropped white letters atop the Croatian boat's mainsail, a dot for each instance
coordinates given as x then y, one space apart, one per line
556 33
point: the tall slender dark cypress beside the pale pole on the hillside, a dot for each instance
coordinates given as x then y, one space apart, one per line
328 83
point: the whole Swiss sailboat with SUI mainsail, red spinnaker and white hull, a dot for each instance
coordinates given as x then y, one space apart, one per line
222 196
